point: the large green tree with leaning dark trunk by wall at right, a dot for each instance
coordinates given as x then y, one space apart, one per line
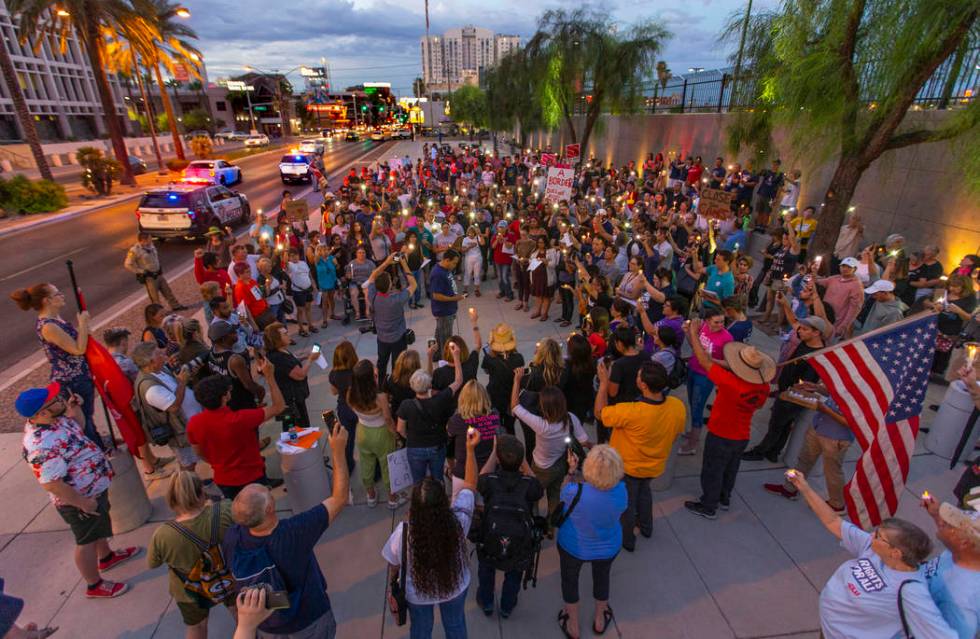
840 77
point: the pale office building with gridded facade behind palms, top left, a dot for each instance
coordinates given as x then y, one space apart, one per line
58 86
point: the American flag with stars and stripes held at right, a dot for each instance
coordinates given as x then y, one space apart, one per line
879 381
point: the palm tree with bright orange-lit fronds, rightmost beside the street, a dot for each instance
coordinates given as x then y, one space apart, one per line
171 48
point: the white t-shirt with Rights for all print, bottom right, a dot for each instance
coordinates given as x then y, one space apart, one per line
860 600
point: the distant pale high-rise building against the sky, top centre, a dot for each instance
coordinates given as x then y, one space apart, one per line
459 56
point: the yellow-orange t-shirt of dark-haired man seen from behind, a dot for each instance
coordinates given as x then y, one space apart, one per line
643 433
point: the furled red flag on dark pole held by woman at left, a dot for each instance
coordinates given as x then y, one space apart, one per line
114 387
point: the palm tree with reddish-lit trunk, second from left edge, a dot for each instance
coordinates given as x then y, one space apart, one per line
84 18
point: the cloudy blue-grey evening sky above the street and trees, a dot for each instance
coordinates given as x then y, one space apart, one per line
378 40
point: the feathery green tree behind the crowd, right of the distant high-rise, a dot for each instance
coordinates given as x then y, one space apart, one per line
582 52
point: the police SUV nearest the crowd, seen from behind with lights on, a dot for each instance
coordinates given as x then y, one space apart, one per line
189 210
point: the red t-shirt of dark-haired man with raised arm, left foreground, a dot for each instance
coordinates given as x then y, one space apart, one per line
228 440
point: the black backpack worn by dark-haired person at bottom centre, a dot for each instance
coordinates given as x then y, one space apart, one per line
508 538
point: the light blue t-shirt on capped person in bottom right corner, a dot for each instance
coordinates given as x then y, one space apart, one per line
956 591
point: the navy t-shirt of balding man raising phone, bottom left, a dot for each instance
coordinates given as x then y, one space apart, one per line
290 547
